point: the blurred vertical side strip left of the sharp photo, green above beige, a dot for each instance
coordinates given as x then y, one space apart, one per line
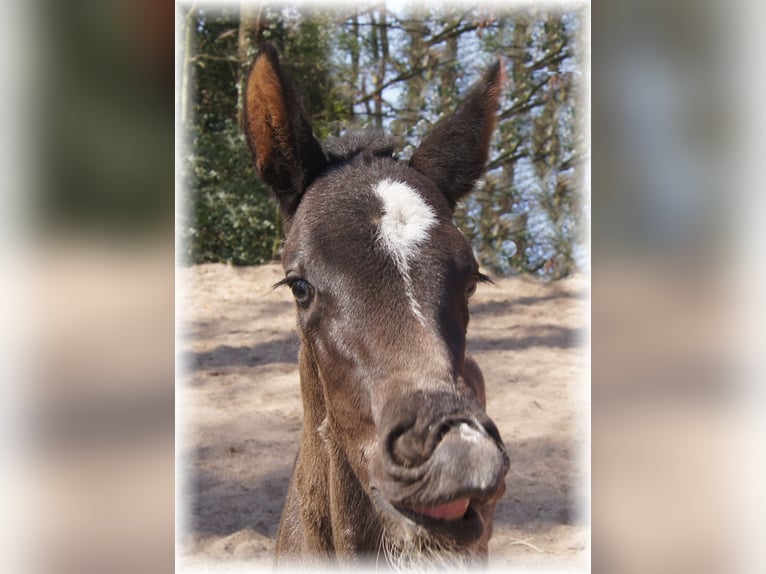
88 287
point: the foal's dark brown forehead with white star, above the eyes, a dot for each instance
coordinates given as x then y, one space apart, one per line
355 216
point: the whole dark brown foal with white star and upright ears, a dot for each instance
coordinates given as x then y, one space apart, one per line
398 457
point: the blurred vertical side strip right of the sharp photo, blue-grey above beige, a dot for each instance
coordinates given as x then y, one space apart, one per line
677 313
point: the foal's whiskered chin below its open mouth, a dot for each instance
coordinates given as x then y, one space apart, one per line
414 541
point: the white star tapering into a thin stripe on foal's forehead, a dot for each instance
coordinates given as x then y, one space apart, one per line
403 229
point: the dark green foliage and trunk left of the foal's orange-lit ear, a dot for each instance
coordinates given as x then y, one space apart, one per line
231 217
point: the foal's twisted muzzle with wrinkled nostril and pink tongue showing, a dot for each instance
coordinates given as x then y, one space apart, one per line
439 472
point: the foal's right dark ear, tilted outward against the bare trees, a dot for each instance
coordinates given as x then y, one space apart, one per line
454 154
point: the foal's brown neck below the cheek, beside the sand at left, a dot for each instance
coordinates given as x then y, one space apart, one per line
334 506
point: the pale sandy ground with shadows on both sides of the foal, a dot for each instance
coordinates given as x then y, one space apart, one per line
239 413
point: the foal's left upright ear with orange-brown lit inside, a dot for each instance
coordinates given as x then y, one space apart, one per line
287 156
